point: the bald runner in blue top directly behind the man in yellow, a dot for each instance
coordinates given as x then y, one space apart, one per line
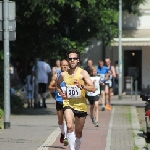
59 102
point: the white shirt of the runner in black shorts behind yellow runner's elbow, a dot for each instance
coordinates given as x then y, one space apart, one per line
97 86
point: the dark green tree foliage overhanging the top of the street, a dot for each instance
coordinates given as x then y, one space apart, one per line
50 27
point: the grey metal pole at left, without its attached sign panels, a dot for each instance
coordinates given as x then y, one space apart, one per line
6 67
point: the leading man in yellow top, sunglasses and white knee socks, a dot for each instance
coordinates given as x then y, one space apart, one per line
77 81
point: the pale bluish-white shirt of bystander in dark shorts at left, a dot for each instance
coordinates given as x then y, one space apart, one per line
43 70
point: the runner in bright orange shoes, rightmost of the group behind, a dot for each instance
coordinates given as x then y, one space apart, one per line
109 82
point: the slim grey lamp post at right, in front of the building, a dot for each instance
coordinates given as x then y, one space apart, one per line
120 51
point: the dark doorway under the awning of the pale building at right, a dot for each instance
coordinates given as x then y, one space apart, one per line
133 66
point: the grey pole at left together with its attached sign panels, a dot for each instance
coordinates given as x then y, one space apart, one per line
7 25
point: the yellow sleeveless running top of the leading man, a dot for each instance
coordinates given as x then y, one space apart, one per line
75 96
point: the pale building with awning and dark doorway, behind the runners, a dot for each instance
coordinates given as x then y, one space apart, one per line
135 47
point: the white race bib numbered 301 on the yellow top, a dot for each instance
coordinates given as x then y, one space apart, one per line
73 91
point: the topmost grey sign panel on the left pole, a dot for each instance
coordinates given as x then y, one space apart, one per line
12 10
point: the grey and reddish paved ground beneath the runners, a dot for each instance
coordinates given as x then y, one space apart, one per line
118 130
